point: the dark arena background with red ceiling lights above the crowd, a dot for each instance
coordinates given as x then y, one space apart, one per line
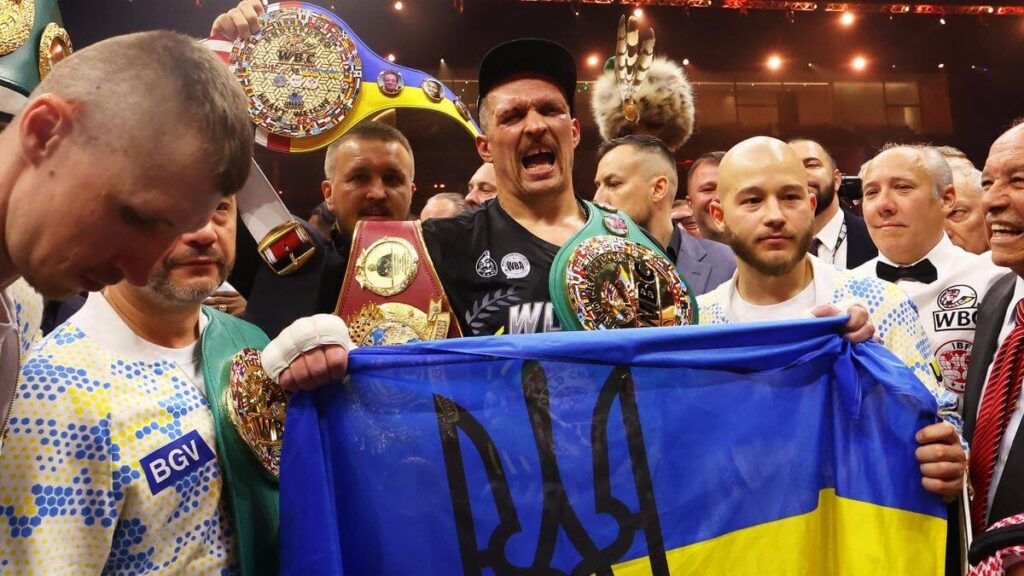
984 100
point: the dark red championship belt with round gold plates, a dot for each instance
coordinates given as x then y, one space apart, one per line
392 295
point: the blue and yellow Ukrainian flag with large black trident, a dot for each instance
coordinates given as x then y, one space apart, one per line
761 449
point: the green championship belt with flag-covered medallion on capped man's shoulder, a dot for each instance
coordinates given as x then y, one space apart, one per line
611 275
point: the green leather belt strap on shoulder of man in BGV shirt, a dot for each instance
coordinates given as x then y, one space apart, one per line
251 489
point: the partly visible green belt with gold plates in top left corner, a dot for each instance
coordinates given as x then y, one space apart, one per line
32 42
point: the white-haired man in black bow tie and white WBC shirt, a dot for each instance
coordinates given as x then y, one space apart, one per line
908 191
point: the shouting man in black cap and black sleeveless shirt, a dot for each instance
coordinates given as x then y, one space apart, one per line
495 262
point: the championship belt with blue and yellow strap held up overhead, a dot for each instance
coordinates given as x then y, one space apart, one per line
310 79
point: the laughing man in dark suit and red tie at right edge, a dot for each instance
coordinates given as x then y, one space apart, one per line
993 407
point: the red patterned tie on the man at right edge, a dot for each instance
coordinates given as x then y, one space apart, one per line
997 407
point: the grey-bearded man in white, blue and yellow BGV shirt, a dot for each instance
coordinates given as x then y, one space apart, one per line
126 403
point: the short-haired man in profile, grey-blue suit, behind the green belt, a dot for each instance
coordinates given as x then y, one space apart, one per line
637 175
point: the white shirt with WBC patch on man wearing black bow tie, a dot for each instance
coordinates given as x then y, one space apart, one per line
949 307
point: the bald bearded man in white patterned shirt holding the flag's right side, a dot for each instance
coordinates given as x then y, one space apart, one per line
767 216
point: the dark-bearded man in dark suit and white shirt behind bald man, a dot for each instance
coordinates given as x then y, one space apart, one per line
840 238
